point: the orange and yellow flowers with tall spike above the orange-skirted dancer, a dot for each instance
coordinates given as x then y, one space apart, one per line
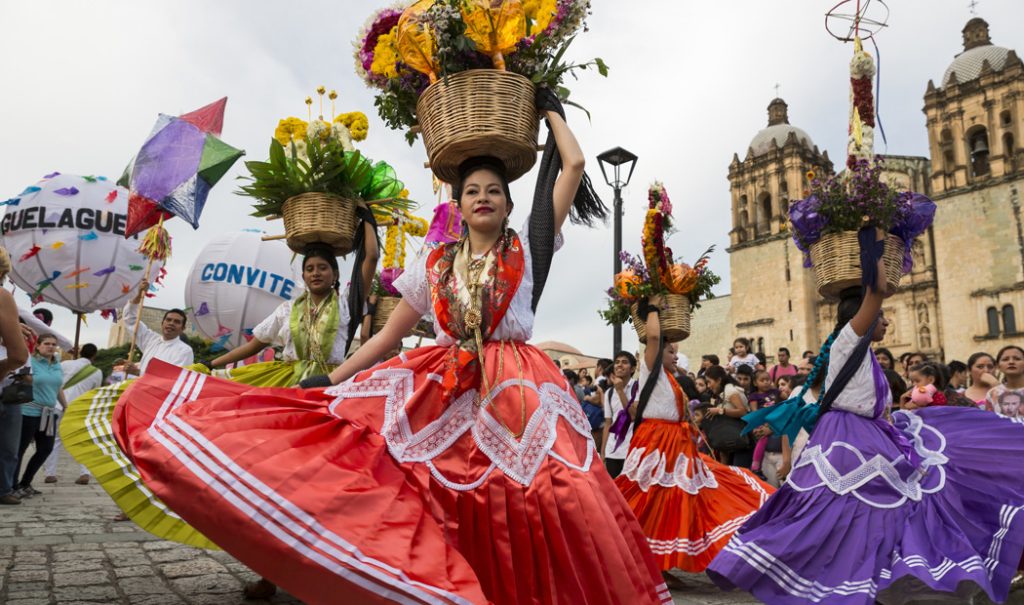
658 272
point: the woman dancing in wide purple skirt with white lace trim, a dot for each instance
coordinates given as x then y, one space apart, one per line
927 507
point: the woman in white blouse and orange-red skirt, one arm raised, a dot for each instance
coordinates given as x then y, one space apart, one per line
689 505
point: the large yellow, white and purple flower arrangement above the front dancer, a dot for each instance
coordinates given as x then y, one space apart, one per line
406 48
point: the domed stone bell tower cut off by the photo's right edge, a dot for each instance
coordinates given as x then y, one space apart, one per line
975 119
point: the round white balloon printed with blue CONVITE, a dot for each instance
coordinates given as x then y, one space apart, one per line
237 282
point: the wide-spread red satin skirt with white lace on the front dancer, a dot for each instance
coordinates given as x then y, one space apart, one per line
386 490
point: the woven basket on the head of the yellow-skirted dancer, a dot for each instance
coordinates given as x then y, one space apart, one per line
322 219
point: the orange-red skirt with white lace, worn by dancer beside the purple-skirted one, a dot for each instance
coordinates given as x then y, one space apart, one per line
689 505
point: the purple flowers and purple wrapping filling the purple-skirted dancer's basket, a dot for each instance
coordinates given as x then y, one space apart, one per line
857 199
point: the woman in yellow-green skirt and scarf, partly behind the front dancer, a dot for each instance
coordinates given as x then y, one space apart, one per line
314 332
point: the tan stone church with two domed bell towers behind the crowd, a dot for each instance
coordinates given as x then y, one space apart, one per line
967 288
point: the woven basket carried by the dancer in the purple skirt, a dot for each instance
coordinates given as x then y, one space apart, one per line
837 263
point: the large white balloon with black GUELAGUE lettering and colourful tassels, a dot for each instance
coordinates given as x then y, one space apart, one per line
66 240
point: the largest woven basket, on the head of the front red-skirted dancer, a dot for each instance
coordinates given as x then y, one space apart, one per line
480 113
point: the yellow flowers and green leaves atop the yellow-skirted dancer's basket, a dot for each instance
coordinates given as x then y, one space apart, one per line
318 156
